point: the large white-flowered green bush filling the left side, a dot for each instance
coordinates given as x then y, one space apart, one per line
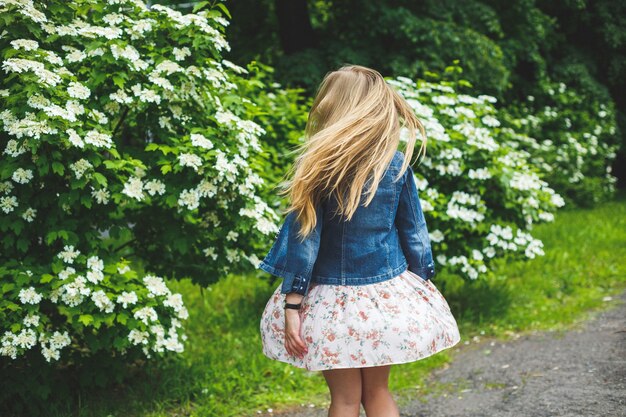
123 138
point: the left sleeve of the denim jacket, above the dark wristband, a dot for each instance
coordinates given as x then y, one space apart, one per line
291 259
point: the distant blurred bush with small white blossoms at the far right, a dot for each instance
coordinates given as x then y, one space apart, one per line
571 137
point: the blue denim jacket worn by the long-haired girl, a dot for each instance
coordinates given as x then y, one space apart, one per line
378 243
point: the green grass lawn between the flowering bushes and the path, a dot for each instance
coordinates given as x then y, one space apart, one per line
223 372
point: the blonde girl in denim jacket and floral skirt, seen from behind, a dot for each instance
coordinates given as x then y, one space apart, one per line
354 251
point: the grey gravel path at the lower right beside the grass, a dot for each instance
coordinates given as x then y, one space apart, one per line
576 373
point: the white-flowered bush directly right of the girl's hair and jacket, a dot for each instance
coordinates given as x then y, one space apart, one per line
480 194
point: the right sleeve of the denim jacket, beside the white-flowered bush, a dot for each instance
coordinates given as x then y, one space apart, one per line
413 231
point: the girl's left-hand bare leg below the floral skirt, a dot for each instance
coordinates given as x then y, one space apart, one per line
345 391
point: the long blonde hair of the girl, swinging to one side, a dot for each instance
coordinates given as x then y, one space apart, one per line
352 134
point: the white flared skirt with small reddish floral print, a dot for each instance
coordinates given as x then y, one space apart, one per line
399 320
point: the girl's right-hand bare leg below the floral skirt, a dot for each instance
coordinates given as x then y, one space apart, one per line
375 395
